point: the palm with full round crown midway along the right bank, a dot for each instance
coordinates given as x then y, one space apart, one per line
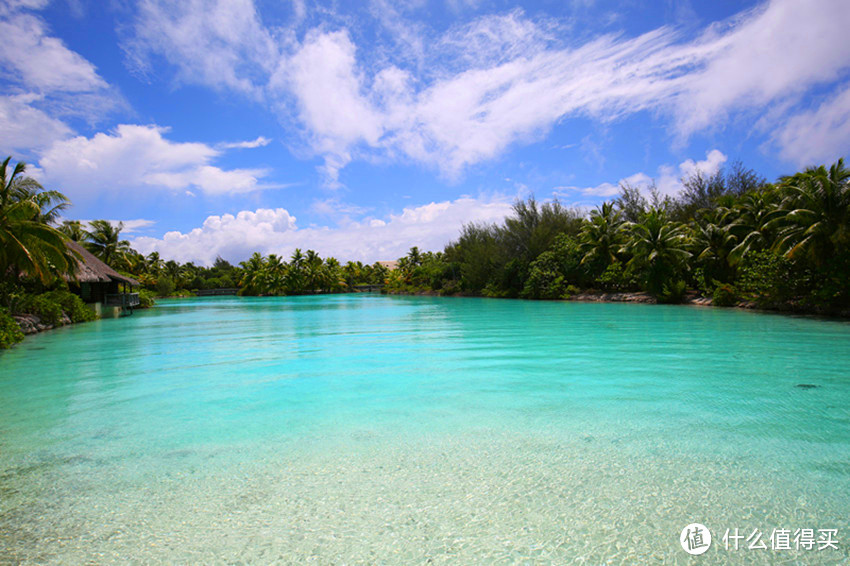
658 248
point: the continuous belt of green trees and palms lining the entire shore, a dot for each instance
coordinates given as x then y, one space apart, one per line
727 239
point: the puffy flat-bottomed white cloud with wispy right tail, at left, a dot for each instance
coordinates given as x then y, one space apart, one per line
139 156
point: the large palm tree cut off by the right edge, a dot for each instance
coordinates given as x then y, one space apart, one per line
817 213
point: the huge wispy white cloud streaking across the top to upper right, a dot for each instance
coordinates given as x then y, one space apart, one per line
454 100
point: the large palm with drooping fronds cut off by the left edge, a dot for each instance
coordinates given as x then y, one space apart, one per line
27 243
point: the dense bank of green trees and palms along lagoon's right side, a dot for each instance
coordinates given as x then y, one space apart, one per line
730 236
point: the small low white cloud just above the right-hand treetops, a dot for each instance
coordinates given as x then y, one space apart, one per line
667 181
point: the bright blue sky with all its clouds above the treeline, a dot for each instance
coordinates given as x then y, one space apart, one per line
214 127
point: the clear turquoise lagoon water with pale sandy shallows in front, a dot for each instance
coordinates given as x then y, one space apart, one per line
415 430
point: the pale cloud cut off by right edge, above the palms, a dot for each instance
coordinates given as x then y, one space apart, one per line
818 136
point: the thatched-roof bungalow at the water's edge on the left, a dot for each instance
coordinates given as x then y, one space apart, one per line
106 290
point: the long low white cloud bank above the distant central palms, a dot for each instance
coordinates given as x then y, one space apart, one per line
429 226
